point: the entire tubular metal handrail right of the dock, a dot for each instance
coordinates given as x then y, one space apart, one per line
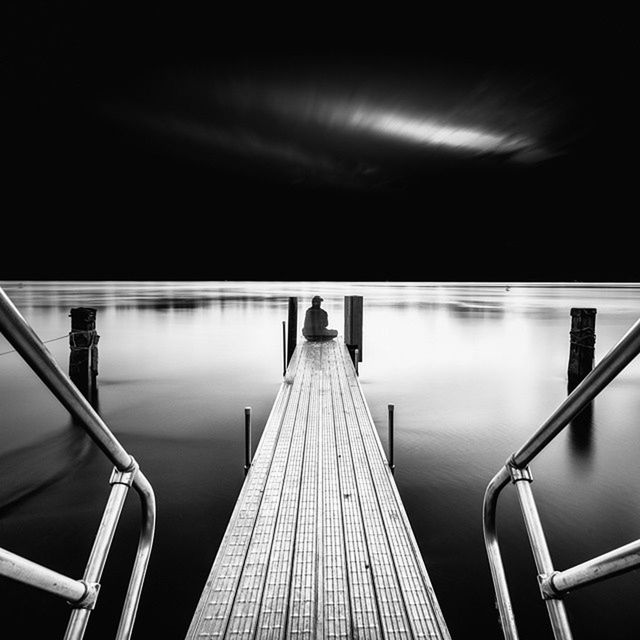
553 584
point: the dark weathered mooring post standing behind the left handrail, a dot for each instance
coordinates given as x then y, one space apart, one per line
83 344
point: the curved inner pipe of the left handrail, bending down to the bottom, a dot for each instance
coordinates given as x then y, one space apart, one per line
145 543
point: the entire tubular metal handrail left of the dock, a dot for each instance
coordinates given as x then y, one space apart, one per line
82 594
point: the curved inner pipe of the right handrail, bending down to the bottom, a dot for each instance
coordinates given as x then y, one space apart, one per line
489 507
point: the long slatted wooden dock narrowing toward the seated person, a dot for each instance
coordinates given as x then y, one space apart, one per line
319 544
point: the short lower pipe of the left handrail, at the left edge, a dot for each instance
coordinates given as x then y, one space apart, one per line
23 570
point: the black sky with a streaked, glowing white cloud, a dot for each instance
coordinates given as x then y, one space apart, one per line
318 142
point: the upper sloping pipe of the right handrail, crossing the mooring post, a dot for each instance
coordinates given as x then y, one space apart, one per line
606 370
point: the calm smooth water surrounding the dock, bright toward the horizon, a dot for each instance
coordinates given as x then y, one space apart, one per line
472 369
